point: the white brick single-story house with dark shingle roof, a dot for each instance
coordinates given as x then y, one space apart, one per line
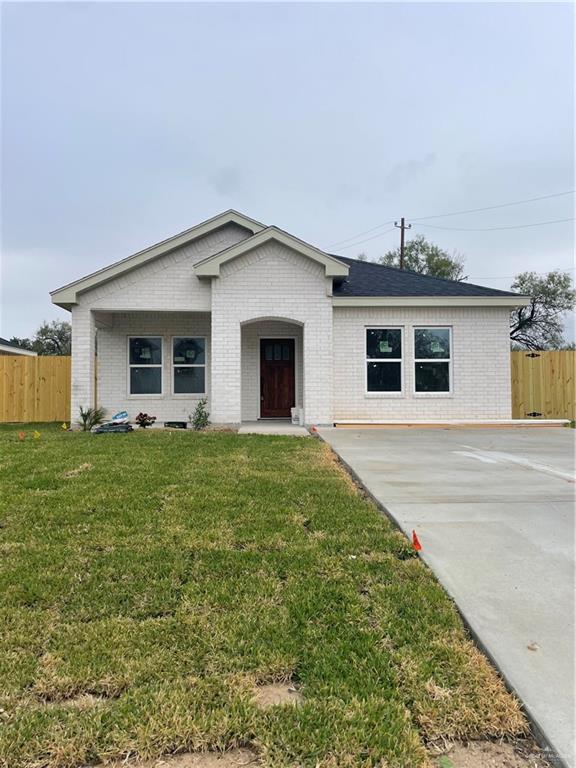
259 321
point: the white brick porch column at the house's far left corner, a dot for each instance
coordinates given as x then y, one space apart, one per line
83 363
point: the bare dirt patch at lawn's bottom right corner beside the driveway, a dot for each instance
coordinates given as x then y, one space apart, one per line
488 754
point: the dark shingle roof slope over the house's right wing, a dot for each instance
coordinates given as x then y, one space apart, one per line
369 279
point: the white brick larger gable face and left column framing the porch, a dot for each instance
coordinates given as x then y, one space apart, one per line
165 284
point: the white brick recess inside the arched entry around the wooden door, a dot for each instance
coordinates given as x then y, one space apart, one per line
251 335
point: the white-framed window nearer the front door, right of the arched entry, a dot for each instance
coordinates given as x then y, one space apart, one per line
384 359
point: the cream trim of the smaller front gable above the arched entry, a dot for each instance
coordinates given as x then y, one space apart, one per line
210 267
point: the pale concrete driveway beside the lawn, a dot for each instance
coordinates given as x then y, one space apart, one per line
494 511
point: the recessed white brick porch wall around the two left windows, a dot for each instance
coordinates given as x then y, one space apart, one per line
113 380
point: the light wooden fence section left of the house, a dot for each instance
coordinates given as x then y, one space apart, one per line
34 388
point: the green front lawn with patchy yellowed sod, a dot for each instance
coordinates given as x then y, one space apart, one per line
149 581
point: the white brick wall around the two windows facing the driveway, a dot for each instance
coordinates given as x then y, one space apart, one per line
480 364
